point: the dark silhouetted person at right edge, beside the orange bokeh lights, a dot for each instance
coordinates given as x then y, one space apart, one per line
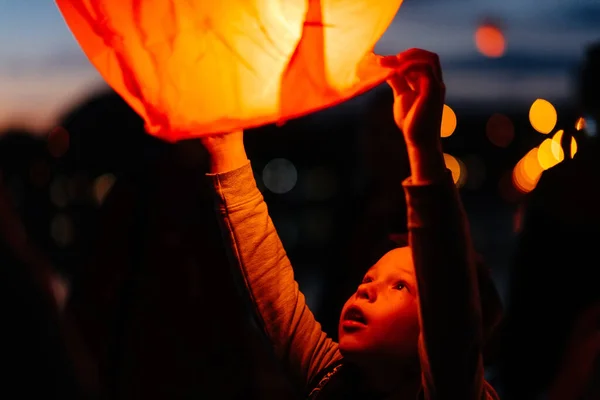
551 336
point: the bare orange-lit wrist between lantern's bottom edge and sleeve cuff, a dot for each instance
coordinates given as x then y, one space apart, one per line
226 151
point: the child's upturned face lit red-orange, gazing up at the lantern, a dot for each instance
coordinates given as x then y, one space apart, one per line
381 319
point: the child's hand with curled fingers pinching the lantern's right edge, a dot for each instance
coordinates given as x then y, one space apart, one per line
419 94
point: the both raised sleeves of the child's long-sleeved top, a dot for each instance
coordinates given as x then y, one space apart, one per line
450 342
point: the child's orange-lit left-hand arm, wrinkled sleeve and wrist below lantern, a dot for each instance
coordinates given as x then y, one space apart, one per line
258 254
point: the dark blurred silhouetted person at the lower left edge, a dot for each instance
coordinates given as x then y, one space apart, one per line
34 355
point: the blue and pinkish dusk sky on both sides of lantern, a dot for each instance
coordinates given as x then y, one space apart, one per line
43 72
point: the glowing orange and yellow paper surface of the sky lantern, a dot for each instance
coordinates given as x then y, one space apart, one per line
196 67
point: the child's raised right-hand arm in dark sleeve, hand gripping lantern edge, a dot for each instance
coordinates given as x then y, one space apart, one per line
450 342
